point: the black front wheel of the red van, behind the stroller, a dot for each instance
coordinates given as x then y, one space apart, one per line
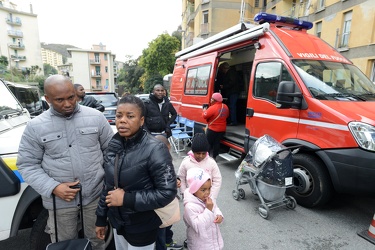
312 183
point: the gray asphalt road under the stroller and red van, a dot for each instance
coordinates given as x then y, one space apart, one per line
334 226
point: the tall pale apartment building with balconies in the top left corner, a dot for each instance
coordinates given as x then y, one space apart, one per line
19 37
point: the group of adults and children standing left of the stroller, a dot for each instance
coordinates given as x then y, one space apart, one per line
124 176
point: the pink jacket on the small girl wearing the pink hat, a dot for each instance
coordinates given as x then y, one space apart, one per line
202 232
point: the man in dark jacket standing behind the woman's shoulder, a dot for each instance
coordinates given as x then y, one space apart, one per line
160 113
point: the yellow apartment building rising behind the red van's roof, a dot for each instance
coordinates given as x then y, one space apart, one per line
347 25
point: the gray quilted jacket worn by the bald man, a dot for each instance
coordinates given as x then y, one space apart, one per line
56 149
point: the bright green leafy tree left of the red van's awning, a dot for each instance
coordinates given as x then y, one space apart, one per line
158 59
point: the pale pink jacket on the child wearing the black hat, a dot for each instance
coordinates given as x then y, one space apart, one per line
208 164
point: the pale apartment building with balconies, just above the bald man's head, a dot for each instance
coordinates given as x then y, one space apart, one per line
95 69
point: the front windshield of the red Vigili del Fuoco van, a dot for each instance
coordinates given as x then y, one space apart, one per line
335 81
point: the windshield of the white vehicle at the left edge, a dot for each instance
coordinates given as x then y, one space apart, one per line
9 106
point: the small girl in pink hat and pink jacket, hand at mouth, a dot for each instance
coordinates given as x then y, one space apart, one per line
201 215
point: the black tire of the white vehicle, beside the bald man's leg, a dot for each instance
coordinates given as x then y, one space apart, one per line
38 238
